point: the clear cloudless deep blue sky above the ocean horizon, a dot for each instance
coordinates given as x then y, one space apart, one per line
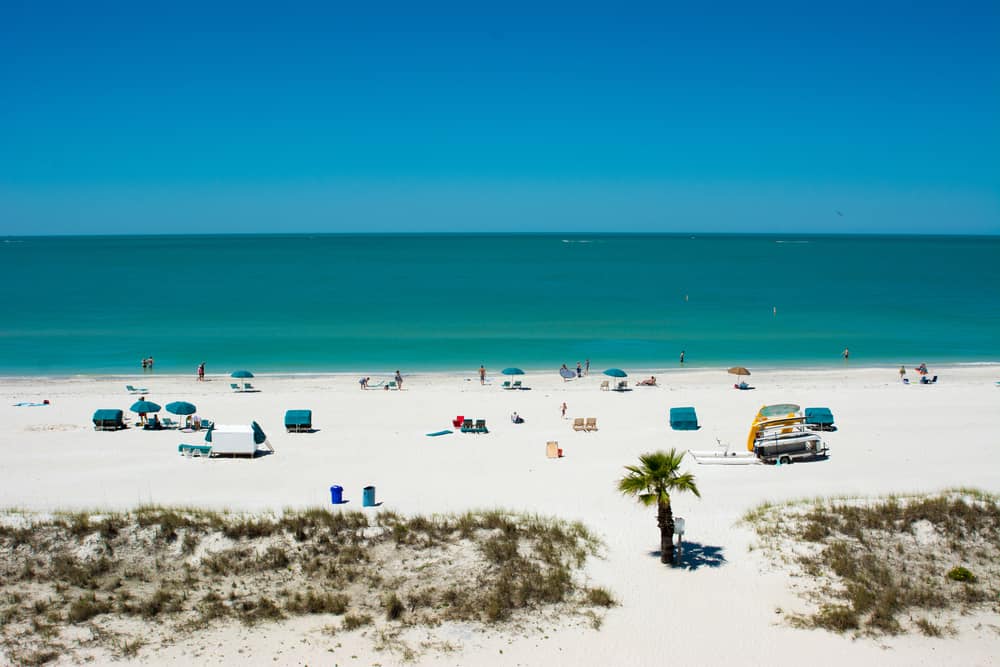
162 117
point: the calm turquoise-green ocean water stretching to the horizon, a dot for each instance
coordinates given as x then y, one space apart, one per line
305 303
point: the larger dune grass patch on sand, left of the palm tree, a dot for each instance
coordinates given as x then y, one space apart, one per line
185 568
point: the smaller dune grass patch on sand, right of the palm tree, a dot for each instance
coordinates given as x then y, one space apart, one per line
886 566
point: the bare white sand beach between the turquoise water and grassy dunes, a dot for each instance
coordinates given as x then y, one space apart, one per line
726 607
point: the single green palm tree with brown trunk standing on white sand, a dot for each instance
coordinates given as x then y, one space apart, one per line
651 483
